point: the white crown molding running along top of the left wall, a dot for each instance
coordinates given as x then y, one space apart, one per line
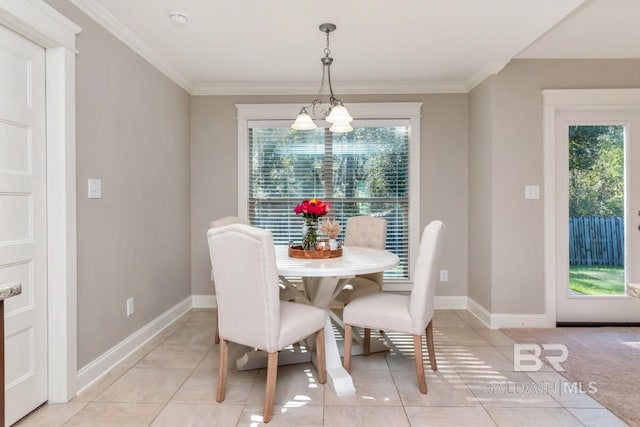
112 24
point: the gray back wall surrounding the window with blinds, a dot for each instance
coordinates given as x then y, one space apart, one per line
444 173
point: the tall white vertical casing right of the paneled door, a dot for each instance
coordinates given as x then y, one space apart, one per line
61 223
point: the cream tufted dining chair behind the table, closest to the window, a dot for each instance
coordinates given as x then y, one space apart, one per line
366 232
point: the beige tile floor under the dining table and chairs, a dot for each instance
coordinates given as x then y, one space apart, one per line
171 381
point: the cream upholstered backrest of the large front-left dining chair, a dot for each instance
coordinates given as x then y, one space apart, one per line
244 269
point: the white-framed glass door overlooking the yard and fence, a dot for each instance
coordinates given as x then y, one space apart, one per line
598 215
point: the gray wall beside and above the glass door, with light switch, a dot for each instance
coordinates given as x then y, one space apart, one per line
512 134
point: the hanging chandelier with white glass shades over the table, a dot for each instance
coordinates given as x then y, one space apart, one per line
336 113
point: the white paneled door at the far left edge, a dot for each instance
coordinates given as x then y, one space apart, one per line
23 254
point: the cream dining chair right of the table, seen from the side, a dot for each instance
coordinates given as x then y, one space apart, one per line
410 314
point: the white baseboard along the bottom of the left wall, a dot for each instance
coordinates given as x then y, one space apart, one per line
116 354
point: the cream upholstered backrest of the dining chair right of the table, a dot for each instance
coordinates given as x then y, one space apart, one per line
425 276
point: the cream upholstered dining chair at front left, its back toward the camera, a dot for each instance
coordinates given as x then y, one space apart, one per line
250 311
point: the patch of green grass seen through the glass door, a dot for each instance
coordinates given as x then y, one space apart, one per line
594 280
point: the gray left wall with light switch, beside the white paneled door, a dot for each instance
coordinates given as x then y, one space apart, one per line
133 133
